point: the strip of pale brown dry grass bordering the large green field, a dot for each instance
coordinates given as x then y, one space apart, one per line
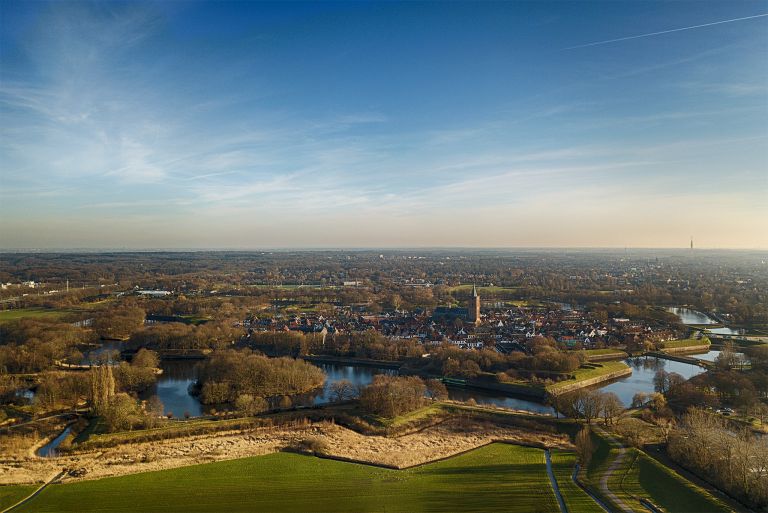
436 442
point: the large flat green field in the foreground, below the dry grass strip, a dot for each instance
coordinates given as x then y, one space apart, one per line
498 477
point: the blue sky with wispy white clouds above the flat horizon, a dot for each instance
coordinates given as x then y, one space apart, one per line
247 124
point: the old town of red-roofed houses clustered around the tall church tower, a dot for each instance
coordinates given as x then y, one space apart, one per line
504 328
